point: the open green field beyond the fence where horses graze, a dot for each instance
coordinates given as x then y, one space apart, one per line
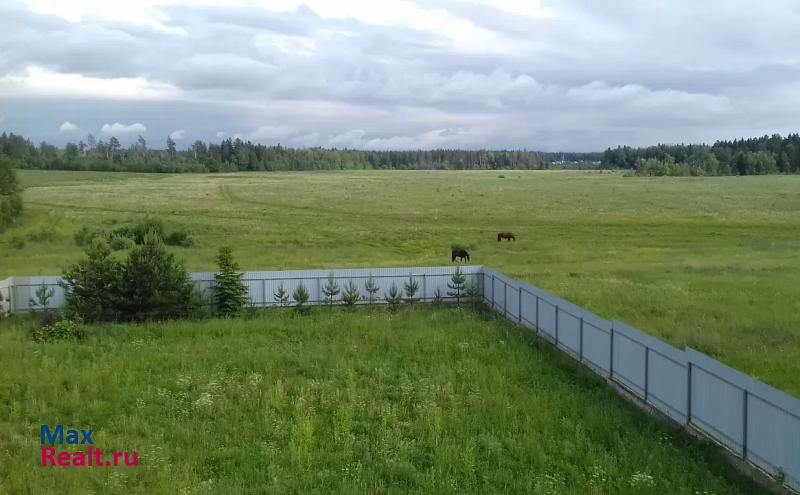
713 262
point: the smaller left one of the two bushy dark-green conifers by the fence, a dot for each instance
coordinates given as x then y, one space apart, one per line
92 285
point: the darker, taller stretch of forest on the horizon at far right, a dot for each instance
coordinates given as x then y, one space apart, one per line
762 155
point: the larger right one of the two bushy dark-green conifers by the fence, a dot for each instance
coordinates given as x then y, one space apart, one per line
154 285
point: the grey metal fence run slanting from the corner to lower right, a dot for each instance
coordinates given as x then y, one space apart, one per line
757 422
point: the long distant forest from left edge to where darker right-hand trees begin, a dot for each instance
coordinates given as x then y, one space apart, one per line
236 155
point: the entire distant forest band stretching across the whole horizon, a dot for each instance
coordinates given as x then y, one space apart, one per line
763 155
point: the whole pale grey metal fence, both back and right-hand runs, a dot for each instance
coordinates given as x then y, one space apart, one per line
757 422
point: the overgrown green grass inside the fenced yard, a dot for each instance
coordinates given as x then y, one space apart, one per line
426 400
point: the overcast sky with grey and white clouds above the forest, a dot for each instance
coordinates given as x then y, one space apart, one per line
576 75
